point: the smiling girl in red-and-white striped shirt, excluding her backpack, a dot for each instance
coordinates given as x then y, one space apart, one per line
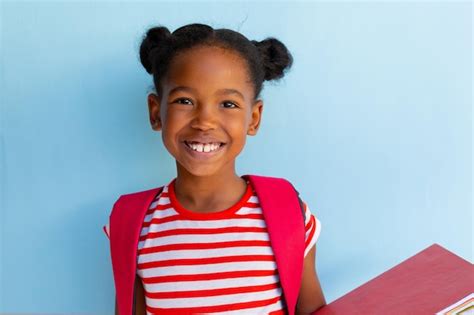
203 246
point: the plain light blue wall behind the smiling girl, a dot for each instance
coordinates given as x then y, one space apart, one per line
372 125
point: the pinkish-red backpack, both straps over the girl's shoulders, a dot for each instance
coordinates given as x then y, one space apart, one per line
281 207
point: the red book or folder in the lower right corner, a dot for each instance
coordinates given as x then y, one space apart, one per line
426 283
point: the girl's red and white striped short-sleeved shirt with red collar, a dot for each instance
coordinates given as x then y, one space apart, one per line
218 263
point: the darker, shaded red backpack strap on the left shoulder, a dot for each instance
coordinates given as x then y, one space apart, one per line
126 221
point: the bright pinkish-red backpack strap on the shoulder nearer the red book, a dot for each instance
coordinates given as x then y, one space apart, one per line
280 205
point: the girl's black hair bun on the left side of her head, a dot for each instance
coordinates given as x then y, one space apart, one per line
154 41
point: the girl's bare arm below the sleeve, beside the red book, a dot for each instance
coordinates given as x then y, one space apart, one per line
311 296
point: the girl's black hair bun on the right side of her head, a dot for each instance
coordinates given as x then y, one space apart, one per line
275 57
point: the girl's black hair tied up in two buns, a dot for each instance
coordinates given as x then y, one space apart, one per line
267 60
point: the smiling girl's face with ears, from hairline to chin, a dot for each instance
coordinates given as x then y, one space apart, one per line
207 97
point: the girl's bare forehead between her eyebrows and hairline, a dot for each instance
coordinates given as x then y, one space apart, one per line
207 69
